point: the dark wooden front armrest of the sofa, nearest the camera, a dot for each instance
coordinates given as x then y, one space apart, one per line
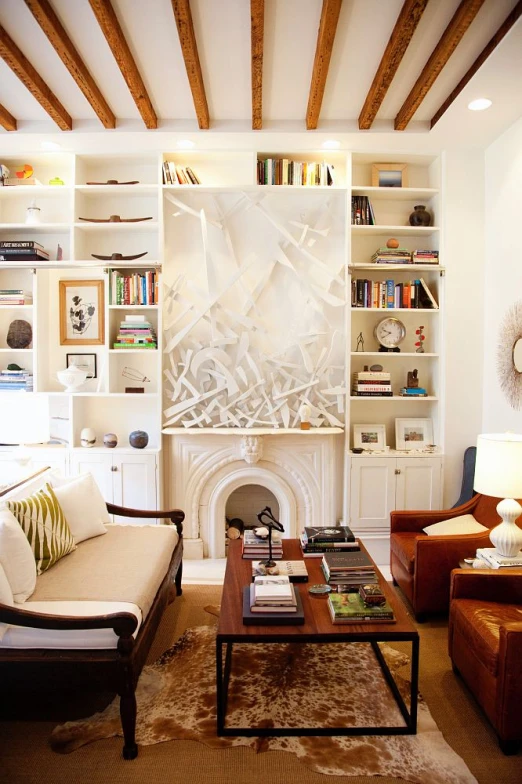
123 623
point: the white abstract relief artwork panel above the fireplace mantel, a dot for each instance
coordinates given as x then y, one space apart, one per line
254 310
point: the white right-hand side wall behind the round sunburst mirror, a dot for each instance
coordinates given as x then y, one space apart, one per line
503 271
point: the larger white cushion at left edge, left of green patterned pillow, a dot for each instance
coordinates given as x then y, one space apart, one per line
16 557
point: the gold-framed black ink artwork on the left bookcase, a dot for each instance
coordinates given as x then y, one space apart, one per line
81 313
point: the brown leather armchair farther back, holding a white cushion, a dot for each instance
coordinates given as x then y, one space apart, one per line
421 565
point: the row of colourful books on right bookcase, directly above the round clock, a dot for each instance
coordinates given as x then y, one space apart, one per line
389 294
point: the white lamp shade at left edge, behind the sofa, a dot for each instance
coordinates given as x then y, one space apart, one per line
24 418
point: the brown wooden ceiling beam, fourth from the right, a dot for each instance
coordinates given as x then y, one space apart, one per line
323 53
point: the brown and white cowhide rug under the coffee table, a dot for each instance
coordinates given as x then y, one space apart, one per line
282 685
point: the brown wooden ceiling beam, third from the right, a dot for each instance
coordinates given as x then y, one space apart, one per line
400 38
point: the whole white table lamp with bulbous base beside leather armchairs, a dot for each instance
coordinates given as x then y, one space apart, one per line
498 473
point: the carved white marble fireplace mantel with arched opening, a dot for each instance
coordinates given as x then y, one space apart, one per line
301 468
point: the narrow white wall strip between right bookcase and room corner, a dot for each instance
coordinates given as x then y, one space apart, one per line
463 256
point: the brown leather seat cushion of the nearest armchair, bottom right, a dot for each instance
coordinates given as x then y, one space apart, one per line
479 623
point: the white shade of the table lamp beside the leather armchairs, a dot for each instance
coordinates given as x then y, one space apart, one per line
498 466
